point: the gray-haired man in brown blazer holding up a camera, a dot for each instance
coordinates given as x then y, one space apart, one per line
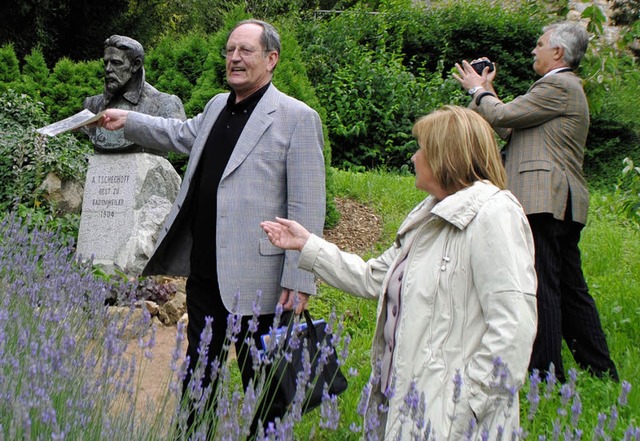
546 131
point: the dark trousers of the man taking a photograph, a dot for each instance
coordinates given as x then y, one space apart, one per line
565 307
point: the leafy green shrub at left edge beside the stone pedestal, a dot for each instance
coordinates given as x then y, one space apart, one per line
26 158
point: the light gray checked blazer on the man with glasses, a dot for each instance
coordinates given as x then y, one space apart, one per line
276 169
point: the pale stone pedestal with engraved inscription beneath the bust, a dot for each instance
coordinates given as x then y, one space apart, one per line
126 200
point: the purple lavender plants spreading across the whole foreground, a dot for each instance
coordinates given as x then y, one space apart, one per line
61 307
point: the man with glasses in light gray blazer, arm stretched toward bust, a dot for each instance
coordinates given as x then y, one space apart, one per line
255 154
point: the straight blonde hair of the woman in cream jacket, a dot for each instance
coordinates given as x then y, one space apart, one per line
460 148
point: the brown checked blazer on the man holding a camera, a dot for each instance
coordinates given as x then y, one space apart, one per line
546 129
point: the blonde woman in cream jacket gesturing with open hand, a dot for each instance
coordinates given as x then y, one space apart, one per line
456 291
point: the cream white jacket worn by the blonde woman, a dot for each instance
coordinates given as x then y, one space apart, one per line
468 296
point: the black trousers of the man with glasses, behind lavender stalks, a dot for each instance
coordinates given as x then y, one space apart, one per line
203 300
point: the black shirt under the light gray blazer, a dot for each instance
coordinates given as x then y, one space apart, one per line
215 156
